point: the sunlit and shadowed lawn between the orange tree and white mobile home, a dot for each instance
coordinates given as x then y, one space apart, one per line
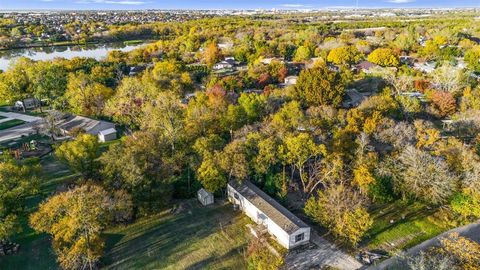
211 237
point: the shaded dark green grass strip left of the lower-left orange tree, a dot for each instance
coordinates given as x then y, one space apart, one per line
36 249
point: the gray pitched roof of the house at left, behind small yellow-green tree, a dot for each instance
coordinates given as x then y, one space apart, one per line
91 126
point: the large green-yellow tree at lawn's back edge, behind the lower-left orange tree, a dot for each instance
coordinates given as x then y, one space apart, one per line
143 165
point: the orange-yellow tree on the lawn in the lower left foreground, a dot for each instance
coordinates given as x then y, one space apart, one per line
75 219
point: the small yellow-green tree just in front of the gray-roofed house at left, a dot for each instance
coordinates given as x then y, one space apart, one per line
80 154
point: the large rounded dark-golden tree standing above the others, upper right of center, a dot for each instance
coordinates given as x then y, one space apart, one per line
320 86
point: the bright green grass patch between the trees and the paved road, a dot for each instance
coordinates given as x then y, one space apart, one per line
413 223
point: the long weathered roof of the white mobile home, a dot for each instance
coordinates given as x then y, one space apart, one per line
276 212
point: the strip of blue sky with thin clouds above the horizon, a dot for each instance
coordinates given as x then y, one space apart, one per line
226 4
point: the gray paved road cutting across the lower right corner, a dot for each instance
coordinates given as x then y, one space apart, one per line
471 231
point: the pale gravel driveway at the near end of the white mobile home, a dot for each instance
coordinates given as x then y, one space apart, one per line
325 253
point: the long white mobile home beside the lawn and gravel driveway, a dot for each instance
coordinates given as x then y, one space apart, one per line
288 229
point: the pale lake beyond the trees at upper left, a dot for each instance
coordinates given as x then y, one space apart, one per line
97 51
